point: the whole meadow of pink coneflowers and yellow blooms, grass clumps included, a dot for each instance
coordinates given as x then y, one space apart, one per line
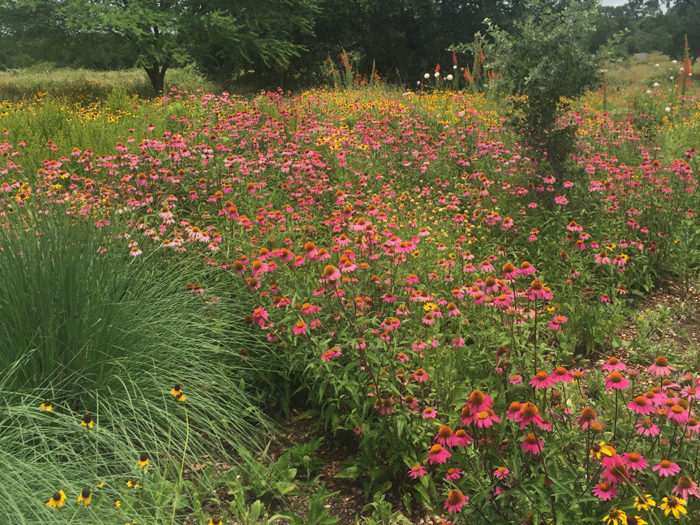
184 274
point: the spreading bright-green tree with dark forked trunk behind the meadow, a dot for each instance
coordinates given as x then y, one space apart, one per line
220 34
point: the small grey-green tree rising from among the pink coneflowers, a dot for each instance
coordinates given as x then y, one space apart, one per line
541 62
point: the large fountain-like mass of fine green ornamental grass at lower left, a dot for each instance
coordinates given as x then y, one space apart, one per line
99 333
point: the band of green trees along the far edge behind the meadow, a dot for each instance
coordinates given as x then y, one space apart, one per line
287 42
